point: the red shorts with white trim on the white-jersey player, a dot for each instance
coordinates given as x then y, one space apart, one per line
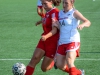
74 46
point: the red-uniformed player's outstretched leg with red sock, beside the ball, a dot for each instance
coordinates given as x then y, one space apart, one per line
38 54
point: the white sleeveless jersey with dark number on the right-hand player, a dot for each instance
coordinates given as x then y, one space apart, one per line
68 27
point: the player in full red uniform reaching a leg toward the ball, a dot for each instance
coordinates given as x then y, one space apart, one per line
47 45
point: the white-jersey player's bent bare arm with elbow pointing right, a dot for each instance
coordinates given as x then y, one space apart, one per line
85 22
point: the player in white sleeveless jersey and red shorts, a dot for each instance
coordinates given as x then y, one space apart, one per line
69 40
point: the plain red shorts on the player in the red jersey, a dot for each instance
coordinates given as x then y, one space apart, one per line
49 47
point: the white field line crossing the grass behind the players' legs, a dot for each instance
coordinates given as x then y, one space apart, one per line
88 59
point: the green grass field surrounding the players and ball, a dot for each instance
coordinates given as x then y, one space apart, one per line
19 36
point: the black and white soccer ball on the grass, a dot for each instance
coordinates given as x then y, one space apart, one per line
19 69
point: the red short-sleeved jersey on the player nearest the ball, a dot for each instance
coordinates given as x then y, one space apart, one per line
47 22
